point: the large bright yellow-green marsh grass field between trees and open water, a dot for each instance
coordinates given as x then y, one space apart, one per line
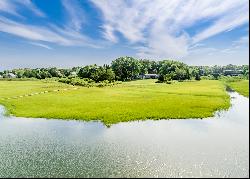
136 100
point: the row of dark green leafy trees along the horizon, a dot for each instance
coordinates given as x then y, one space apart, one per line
129 68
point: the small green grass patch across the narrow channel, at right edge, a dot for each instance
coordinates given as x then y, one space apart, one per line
241 87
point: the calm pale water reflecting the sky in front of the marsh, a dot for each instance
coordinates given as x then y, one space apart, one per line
213 147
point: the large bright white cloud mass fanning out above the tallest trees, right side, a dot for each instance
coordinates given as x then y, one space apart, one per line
160 25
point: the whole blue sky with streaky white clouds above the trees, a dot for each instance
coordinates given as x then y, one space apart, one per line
67 33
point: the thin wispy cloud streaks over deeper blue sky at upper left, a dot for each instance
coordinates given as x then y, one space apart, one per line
68 34
